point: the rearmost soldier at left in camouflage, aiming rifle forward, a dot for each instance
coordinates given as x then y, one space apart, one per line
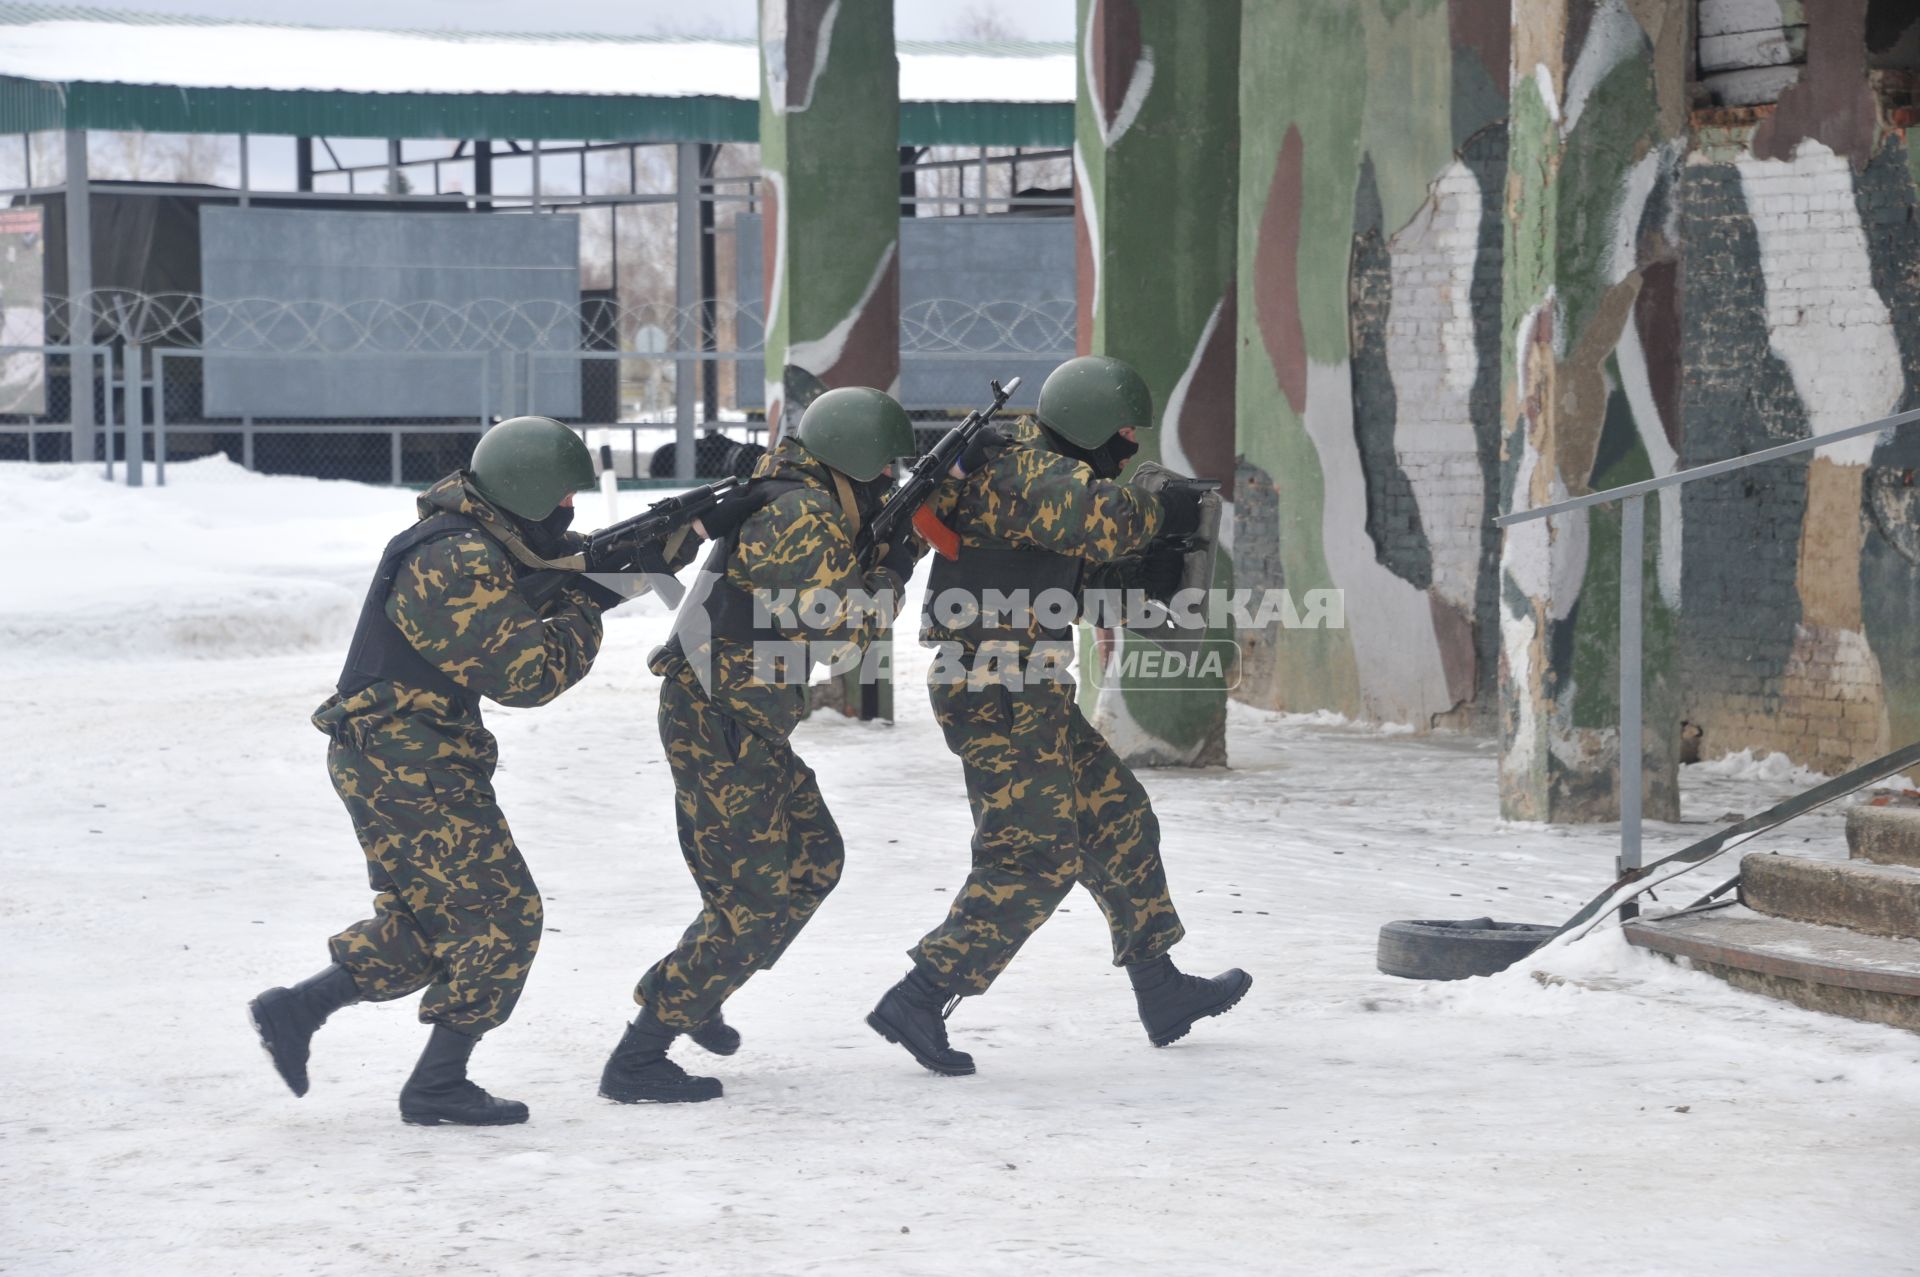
483 598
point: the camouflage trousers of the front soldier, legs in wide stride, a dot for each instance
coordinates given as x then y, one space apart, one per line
1053 806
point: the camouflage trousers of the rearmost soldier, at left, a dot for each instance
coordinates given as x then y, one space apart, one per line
456 911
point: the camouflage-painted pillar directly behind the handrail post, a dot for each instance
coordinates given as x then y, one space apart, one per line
1591 389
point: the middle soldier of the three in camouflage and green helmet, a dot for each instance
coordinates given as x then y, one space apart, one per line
754 827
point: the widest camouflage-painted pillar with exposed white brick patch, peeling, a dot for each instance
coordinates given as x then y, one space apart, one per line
1374 149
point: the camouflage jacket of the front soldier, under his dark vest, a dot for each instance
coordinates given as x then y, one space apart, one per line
1030 496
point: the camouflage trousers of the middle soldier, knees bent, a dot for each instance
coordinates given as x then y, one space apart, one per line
759 842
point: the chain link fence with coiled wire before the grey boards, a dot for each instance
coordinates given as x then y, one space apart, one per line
400 393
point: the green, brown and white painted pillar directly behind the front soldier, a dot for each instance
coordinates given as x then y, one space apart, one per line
1155 178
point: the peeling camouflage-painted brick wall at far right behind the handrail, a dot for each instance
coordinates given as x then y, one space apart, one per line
1762 669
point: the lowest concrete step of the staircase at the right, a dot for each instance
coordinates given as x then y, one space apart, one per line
1804 963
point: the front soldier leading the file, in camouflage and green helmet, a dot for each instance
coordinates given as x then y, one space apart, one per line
1053 804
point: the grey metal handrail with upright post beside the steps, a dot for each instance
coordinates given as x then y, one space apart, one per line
1633 590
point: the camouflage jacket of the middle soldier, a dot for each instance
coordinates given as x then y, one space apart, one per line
798 548
